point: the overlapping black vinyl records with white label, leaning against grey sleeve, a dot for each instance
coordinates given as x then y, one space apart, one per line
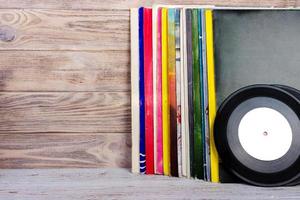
257 134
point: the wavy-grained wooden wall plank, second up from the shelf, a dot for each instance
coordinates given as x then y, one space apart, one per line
64 112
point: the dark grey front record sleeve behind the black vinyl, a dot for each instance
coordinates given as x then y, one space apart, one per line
256 46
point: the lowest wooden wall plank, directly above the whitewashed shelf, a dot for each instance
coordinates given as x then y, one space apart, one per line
64 150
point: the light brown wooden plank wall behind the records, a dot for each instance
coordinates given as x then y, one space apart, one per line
65 80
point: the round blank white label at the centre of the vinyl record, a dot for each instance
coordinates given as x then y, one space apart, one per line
265 134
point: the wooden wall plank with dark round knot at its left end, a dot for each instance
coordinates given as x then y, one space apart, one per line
64 30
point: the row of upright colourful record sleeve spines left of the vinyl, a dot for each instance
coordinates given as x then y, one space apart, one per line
173 92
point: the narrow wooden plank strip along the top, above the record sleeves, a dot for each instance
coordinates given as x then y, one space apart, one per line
125 4
